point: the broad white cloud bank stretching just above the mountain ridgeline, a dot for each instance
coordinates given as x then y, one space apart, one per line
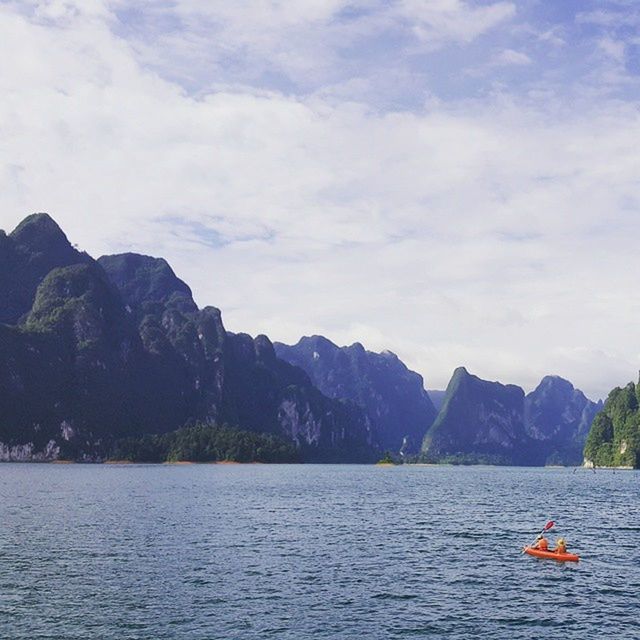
497 231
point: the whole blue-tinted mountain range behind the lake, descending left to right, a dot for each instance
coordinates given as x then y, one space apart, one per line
94 351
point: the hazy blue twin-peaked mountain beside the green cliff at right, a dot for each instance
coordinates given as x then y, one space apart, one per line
482 421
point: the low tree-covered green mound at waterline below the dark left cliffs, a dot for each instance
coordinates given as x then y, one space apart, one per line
205 442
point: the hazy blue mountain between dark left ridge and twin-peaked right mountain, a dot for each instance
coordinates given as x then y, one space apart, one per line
392 396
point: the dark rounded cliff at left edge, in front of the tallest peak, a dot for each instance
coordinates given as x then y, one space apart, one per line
70 372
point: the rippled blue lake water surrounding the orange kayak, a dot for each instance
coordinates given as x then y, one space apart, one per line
295 552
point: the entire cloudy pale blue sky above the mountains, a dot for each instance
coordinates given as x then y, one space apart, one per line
455 181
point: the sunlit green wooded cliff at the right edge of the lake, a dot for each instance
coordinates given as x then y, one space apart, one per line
614 438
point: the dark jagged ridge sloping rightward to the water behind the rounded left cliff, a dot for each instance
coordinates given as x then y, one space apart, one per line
233 378
